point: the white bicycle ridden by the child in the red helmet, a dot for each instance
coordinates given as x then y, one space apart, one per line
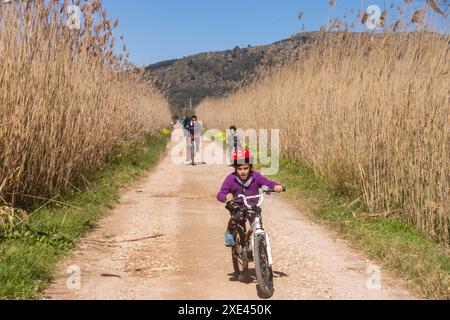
252 245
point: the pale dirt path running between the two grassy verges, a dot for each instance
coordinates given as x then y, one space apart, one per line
164 240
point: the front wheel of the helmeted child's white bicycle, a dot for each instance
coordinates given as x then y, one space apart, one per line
263 270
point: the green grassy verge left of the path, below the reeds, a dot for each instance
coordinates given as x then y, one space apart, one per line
28 257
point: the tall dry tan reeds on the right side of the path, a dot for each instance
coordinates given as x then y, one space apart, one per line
369 112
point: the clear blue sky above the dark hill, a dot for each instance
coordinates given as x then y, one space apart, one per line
157 30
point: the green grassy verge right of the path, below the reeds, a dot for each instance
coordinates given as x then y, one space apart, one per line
394 244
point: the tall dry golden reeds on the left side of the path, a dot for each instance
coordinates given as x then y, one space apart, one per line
66 99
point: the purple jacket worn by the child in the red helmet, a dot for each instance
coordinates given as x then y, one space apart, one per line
232 185
